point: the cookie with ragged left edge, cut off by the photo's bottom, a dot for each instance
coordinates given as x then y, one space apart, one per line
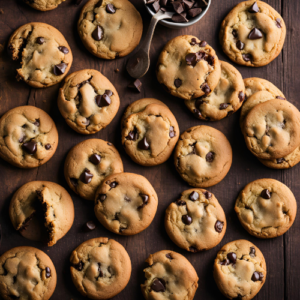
169 274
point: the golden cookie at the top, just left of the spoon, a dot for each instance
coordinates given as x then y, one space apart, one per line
110 29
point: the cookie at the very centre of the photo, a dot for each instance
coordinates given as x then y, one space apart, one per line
149 132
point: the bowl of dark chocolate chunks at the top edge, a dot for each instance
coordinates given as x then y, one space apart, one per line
185 12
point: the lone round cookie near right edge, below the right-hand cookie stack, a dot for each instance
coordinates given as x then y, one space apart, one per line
266 208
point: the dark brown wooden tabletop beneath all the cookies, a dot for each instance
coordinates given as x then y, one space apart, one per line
282 253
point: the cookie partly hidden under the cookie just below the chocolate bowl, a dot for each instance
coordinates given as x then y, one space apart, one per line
224 100
